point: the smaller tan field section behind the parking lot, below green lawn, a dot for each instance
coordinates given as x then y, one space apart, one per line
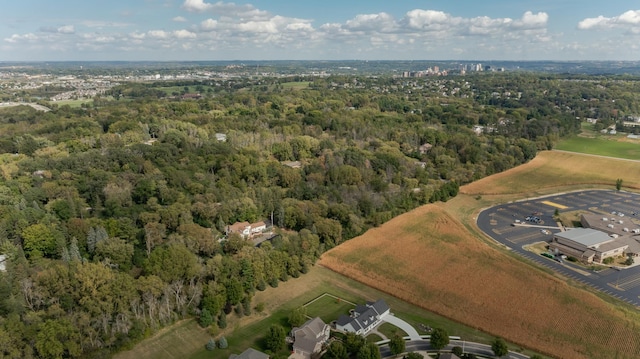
556 169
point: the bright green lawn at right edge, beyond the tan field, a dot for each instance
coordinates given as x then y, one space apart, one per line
602 147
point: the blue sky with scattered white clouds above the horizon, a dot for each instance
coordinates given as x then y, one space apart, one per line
174 30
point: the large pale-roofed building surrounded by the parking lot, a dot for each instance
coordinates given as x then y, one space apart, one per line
586 244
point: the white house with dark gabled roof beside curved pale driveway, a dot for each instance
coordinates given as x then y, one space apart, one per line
363 318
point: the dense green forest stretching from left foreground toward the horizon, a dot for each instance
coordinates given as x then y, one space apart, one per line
114 216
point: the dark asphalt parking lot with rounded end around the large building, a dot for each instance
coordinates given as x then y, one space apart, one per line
498 223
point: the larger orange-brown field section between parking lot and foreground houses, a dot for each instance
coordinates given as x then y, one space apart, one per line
428 258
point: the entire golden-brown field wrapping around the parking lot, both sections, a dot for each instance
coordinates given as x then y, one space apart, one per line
429 258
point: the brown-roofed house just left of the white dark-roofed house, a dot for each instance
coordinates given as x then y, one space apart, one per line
309 339
